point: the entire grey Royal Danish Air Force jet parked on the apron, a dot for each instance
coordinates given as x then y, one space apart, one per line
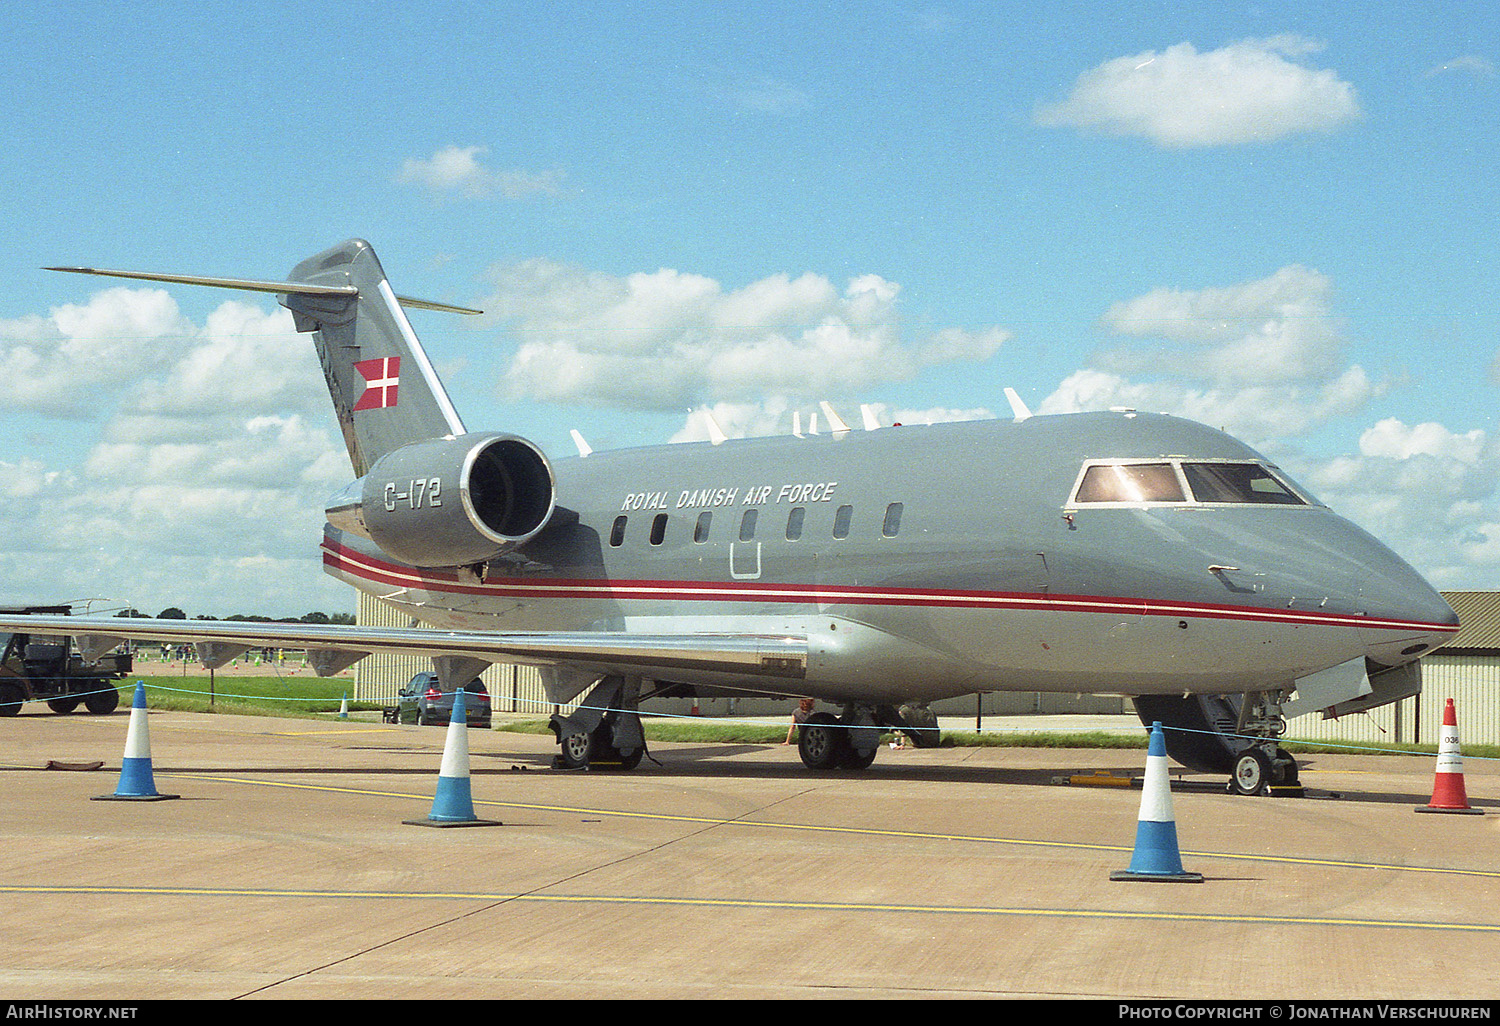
874 571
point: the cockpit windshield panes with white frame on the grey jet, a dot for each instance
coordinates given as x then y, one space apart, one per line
1184 484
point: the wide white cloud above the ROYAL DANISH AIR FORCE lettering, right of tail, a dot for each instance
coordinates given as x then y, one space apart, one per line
670 340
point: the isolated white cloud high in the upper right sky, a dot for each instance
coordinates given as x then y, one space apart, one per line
1255 91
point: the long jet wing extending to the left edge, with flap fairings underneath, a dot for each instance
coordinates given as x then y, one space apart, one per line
706 658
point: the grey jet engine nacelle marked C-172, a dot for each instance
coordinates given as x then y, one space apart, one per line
451 502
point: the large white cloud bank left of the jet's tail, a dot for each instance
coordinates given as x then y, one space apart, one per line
214 439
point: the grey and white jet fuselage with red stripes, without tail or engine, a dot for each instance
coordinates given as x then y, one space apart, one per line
929 562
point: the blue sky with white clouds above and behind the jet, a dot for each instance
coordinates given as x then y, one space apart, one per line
1282 220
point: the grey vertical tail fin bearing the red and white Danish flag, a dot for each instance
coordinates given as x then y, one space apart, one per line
383 386
